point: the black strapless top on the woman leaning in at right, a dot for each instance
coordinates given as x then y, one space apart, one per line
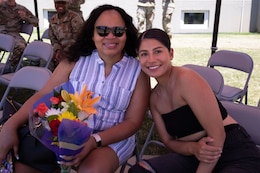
182 121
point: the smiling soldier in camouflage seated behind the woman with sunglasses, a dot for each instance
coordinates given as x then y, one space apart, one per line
63 30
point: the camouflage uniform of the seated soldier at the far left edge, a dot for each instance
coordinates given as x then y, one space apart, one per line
11 24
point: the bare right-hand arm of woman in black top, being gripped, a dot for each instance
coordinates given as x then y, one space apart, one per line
203 103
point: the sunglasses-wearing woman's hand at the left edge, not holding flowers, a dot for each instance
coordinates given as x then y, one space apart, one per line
8 140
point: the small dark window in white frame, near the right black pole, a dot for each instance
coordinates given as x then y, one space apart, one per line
194 19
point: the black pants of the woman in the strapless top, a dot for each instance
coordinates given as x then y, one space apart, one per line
240 155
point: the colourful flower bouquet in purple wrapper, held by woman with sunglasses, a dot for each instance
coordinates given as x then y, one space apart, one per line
63 120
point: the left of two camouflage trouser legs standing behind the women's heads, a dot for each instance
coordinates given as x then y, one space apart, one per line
145 14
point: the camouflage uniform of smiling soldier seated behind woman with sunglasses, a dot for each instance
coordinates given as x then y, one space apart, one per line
63 31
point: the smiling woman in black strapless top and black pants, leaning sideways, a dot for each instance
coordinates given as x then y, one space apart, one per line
190 121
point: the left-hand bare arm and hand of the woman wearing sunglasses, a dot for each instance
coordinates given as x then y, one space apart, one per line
8 134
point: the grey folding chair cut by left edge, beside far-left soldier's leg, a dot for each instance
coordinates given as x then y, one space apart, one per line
7 44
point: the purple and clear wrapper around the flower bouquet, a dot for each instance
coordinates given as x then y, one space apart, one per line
72 135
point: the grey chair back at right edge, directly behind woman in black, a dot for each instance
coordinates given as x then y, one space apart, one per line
247 116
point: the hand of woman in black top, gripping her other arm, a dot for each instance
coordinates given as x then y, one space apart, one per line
207 153
